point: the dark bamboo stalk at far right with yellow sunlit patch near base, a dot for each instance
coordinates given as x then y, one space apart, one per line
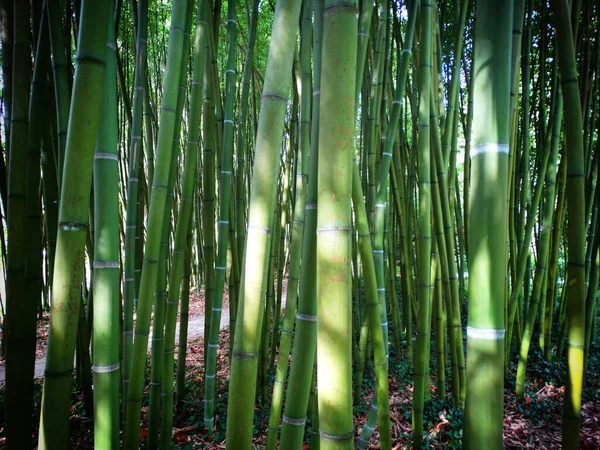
576 228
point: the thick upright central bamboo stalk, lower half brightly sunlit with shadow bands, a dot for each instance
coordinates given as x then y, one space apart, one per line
334 287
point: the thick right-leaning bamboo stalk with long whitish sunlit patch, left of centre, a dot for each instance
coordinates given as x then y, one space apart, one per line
242 386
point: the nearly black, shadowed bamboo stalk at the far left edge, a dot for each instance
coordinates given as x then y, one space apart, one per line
20 318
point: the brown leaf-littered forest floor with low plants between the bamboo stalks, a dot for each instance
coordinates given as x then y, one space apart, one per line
535 421
